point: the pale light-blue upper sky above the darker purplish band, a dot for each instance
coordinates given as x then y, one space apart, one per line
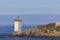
11 7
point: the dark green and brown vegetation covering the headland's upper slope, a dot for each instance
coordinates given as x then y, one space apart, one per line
50 27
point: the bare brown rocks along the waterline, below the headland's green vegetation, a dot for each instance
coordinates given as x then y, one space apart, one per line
31 33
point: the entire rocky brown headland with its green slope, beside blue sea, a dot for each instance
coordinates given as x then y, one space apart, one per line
40 31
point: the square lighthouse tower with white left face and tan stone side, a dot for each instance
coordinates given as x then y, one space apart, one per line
18 25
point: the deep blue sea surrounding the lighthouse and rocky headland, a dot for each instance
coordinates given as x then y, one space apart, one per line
6 30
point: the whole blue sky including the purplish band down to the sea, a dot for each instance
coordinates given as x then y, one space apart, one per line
30 11
